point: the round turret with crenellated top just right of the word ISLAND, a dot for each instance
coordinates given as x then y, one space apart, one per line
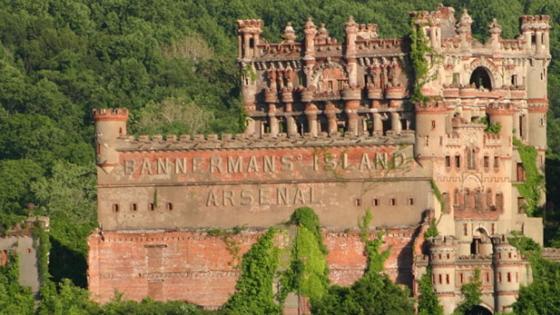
431 128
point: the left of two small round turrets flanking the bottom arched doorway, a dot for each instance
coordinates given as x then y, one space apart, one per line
442 259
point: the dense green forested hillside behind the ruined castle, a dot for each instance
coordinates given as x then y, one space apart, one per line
172 63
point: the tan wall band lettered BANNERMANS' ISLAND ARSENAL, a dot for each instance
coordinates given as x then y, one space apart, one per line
260 187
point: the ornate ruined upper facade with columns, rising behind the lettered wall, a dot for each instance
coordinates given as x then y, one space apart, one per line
318 85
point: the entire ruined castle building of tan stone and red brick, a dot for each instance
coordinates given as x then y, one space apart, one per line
331 125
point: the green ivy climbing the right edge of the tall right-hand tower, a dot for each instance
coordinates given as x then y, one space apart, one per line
533 185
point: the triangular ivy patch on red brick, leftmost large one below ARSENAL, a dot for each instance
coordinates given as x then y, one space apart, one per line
254 289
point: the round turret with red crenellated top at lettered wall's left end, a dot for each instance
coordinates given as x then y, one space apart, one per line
110 124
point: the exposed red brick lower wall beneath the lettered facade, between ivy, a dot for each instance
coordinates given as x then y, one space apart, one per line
199 268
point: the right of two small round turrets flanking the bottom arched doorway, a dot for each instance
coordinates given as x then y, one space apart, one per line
508 272
